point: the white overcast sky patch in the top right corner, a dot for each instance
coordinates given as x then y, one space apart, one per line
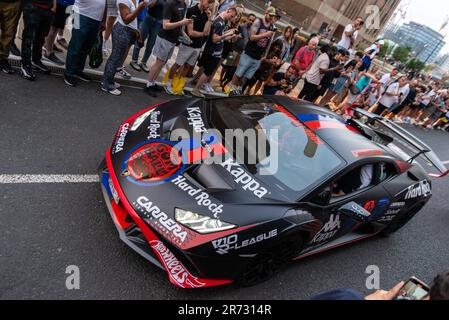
432 13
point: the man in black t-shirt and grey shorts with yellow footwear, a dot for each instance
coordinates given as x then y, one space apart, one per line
190 50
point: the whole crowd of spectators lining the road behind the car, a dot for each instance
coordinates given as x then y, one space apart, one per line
220 47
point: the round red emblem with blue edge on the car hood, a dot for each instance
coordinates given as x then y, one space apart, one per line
154 162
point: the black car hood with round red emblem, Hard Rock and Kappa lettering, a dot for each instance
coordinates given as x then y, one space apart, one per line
142 158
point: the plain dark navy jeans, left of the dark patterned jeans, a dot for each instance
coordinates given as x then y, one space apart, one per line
81 43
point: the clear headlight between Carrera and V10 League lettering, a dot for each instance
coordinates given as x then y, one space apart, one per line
199 223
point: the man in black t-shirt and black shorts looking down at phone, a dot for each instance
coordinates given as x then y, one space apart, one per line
214 47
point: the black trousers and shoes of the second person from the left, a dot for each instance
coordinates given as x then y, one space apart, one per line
37 19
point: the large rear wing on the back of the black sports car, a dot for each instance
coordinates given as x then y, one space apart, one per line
403 141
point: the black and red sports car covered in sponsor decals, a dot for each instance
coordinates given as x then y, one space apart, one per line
182 195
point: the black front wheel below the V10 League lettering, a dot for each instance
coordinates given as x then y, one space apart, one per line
266 264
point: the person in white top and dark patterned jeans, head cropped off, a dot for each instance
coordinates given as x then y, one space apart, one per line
124 35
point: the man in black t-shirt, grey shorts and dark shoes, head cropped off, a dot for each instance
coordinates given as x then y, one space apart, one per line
173 22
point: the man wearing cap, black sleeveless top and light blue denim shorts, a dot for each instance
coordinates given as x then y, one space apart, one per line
261 34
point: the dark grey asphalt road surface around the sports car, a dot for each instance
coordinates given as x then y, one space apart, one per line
49 128
